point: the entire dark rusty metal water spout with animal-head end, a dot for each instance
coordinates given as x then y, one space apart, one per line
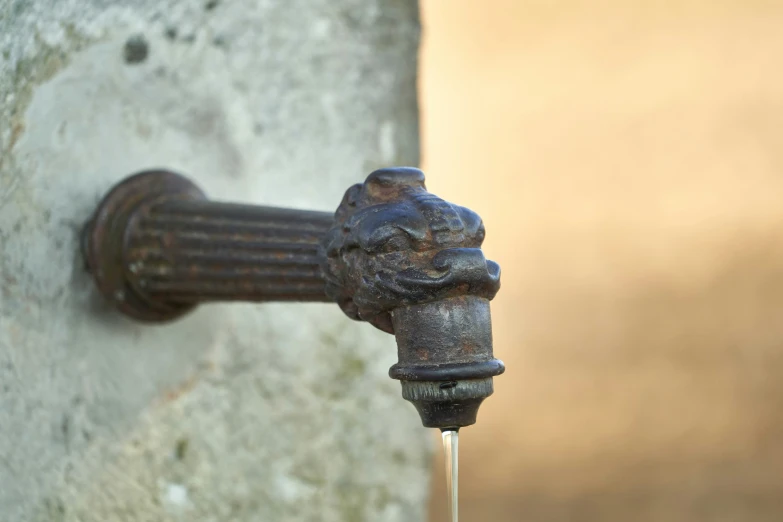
392 255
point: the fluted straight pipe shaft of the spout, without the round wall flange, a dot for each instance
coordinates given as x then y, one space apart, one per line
191 251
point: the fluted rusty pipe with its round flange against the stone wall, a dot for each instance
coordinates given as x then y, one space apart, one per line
157 247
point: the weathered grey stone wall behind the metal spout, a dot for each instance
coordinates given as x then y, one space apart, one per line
238 412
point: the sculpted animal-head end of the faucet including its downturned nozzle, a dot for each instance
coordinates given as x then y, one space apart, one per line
411 264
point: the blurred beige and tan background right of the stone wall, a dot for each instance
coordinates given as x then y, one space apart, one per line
627 158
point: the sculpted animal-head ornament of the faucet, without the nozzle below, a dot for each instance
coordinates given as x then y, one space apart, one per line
395 245
